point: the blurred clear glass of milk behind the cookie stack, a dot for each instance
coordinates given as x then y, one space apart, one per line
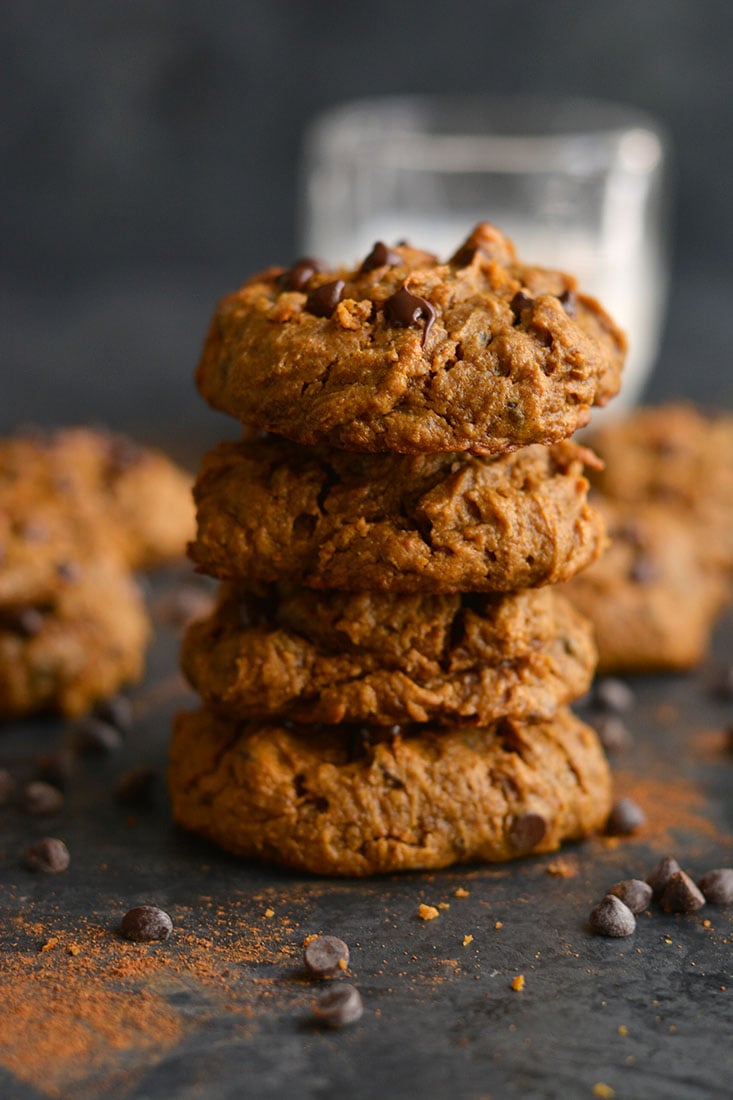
578 185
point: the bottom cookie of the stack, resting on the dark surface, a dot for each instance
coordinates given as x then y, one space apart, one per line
320 800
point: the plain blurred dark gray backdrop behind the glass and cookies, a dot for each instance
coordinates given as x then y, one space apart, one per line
150 152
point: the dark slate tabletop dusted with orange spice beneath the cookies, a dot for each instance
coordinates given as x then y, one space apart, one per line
441 1018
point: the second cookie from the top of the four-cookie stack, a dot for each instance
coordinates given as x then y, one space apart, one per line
270 510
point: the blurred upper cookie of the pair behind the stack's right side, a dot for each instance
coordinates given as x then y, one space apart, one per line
676 457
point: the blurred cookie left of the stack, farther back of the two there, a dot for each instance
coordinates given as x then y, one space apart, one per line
72 496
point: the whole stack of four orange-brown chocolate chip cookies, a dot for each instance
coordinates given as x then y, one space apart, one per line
388 673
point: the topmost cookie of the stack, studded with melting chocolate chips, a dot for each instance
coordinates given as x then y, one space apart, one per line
483 354
